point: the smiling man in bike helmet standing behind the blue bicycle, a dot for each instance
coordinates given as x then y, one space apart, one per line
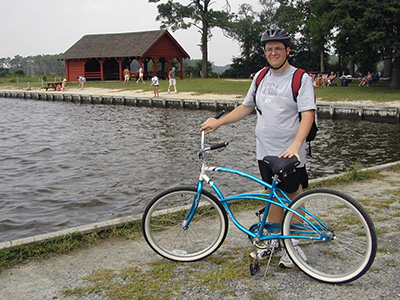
279 131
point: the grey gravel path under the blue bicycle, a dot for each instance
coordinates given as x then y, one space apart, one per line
47 279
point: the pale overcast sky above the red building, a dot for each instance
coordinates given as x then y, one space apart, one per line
34 27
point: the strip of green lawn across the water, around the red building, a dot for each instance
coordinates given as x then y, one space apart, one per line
378 93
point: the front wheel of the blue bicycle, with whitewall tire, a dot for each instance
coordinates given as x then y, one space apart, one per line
164 218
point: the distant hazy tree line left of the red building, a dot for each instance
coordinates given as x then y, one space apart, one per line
32 65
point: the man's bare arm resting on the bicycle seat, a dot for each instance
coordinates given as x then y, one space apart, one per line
307 119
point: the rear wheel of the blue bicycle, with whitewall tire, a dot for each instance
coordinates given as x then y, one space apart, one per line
351 243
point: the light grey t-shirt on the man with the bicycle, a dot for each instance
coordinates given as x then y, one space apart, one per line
278 124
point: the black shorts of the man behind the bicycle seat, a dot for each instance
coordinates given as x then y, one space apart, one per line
290 183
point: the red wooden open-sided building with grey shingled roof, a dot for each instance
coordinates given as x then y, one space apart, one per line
105 56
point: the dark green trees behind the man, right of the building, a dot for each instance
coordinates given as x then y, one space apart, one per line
361 33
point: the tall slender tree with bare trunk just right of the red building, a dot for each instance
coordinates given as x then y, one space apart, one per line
197 13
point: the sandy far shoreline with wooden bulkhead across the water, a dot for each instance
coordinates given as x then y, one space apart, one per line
388 112
